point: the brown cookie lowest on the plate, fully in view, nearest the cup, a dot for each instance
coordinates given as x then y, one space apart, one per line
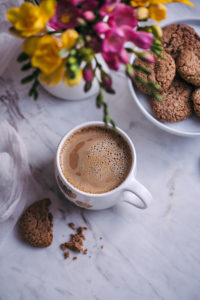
175 105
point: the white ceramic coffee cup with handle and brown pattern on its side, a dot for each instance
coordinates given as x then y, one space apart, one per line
130 190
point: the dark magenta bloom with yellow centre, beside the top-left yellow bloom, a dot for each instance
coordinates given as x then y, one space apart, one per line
65 17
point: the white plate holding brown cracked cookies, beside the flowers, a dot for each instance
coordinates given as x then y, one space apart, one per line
178 75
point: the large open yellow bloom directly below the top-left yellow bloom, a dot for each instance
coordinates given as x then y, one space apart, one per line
46 55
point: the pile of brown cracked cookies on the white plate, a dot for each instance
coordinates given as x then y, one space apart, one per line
177 74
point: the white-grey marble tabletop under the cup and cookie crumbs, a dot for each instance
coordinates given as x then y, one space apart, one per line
150 254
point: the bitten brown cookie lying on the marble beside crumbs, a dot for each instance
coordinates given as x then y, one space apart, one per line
36 224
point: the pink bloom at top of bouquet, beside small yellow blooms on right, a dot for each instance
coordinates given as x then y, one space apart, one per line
123 15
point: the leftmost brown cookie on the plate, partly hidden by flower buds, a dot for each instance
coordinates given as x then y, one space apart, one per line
162 72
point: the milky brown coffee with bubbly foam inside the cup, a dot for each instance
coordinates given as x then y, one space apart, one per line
95 159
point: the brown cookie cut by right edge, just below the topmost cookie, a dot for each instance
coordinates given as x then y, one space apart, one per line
188 65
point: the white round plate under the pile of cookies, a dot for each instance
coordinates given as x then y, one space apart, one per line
189 127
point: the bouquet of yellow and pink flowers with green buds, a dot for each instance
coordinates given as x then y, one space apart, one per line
79 29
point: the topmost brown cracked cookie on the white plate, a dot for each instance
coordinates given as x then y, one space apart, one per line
177 37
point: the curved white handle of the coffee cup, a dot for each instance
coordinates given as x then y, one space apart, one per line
144 197
